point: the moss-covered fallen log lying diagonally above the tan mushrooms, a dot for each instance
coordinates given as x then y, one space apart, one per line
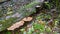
10 17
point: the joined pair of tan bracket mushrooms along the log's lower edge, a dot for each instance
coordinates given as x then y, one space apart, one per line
20 23
